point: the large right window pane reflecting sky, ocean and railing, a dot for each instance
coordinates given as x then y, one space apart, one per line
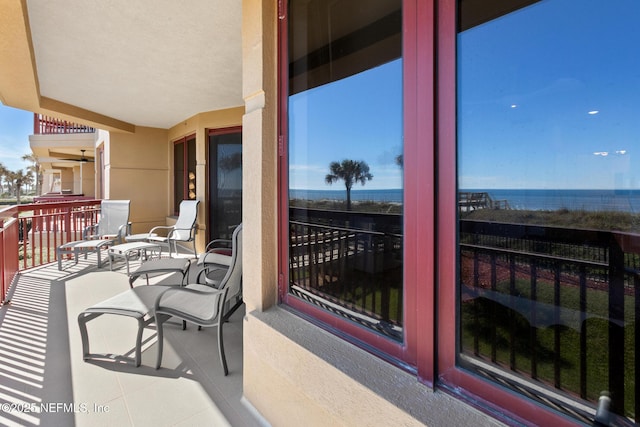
549 200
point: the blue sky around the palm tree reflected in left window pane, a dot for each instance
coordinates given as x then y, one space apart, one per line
324 128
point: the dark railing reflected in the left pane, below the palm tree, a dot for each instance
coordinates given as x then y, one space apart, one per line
349 263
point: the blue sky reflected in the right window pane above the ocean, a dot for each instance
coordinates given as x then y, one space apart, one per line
548 98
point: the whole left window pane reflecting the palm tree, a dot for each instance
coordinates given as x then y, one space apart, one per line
345 159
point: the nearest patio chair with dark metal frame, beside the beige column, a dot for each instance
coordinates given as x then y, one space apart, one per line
202 304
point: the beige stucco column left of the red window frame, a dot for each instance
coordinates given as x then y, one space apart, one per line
260 154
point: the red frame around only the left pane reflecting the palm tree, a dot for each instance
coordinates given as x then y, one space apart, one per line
416 236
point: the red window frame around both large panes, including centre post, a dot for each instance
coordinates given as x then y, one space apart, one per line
429 348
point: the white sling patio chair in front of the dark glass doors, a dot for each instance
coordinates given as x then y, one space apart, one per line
184 230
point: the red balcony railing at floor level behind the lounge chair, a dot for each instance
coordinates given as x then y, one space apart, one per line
30 233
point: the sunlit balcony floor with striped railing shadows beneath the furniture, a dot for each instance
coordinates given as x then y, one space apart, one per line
45 382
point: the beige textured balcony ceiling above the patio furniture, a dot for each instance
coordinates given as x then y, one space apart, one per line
148 63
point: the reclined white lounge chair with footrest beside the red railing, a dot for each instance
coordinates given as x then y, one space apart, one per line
112 226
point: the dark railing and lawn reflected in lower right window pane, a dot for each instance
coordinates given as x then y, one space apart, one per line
555 306
